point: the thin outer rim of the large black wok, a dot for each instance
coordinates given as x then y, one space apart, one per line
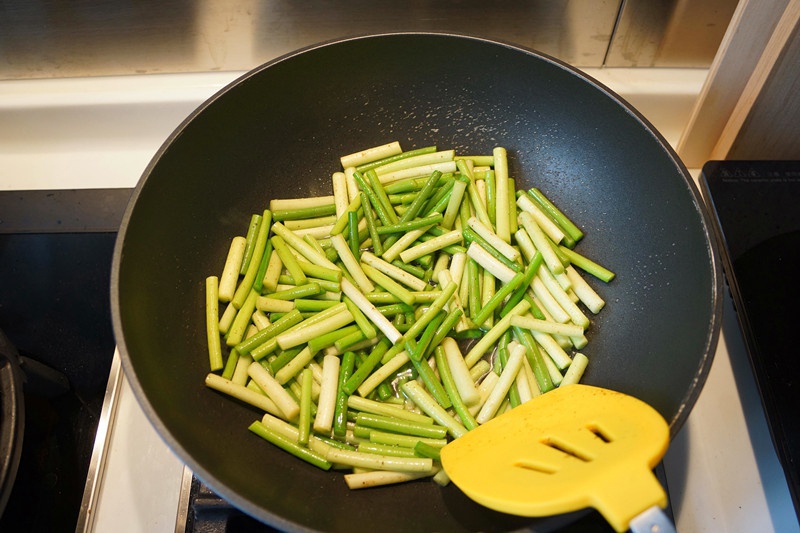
262 513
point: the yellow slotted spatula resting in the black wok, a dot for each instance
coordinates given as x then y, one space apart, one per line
577 446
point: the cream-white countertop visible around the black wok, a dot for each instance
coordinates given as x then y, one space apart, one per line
722 470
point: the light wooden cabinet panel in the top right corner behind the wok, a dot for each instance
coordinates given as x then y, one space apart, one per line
749 107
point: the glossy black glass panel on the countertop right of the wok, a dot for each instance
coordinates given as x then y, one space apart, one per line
758 224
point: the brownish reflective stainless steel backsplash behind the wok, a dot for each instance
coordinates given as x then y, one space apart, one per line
53 38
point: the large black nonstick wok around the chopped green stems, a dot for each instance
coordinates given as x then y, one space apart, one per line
278 132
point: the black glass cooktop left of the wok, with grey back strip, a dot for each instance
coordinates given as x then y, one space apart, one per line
55 265
